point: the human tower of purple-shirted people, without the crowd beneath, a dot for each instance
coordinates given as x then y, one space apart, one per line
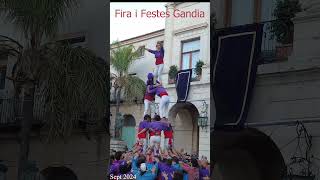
156 132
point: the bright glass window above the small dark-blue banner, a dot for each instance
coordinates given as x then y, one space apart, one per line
190 55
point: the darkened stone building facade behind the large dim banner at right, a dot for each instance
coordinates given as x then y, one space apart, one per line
281 137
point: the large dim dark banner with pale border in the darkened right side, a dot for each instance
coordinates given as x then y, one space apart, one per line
235 55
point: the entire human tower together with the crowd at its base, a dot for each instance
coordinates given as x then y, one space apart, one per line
154 156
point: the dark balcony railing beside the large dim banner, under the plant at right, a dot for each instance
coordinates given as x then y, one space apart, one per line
271 50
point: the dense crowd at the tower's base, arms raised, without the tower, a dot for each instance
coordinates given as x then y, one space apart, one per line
168 164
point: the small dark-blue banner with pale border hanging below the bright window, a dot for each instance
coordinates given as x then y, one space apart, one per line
183 79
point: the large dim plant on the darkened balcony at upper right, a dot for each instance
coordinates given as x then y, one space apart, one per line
283 27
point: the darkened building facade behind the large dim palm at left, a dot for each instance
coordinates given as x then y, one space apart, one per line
63 159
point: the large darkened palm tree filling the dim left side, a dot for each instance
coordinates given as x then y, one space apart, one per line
72 80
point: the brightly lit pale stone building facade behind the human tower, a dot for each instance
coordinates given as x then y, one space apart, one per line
186 41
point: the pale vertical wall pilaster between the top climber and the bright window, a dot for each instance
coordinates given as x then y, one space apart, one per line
168 38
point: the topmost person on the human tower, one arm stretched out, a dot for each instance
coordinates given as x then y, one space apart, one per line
159 55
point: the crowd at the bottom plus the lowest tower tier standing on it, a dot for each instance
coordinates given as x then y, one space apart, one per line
148 160
